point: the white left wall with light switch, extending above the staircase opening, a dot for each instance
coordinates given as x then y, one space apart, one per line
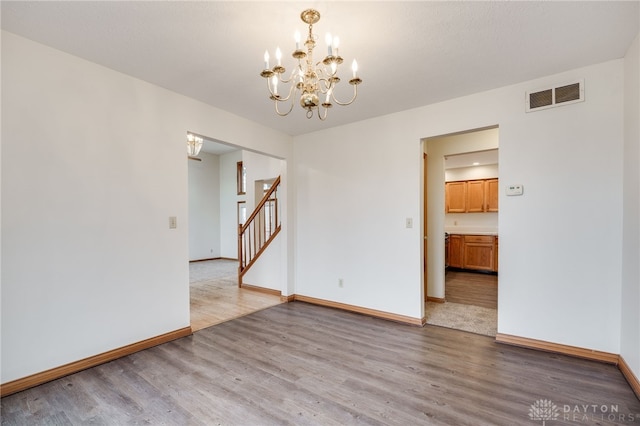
93 164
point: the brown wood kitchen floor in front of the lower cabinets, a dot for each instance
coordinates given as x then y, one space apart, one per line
472 288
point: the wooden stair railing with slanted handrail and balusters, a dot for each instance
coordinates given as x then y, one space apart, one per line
255 235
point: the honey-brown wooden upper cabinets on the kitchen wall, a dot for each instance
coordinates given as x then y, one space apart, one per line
471 196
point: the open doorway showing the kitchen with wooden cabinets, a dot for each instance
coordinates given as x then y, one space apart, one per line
461 275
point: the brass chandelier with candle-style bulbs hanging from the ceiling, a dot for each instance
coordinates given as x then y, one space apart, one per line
309 81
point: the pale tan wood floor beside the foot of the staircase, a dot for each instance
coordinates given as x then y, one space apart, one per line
219 299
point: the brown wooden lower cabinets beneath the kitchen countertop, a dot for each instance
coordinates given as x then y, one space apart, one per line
476 252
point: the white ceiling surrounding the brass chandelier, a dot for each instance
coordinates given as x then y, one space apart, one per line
409 53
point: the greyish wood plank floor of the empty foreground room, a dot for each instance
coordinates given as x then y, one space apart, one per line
300 364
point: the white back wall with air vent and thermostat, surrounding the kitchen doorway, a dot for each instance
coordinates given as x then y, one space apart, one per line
358 183
